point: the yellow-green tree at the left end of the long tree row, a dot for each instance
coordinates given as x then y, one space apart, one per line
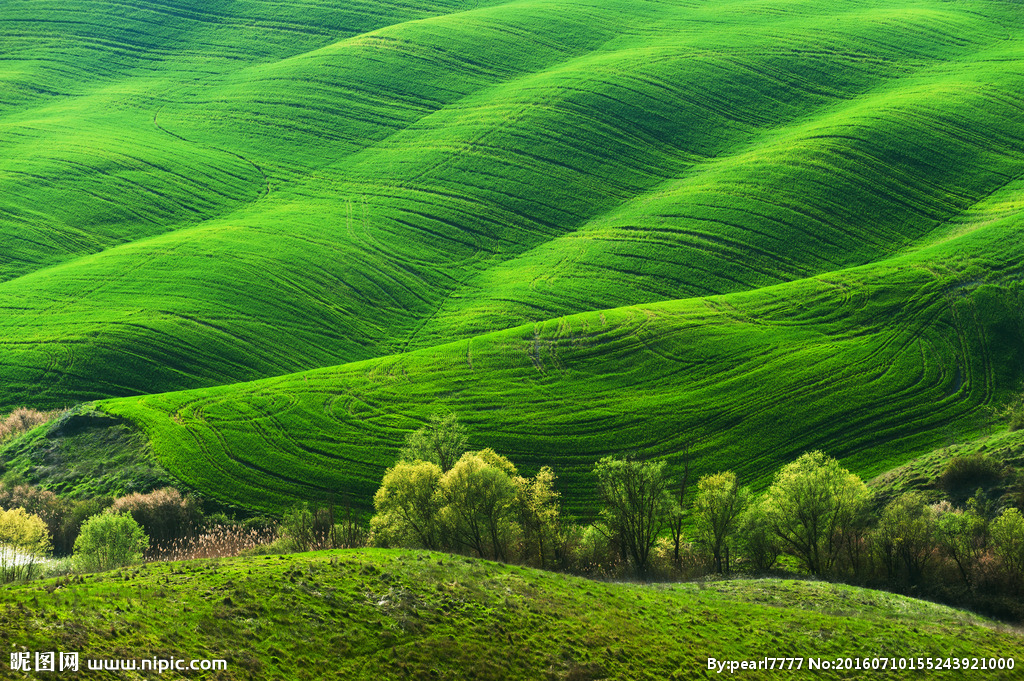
408 506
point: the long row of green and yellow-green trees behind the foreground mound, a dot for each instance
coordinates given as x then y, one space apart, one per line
816 517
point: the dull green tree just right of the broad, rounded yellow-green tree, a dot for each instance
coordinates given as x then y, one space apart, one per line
906 539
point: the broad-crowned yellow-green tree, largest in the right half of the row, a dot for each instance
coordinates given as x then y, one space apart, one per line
808 506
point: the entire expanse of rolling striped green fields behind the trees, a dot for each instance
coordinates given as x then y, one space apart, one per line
278 236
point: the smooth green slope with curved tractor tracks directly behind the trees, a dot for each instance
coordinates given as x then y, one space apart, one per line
871 365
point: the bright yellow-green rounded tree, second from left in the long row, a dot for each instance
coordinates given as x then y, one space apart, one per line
480 503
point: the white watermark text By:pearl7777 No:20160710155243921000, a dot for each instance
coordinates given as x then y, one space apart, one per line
861 664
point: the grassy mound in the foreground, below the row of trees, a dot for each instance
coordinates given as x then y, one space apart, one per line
411 615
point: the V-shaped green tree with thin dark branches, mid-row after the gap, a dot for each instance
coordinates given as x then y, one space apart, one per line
637 504
